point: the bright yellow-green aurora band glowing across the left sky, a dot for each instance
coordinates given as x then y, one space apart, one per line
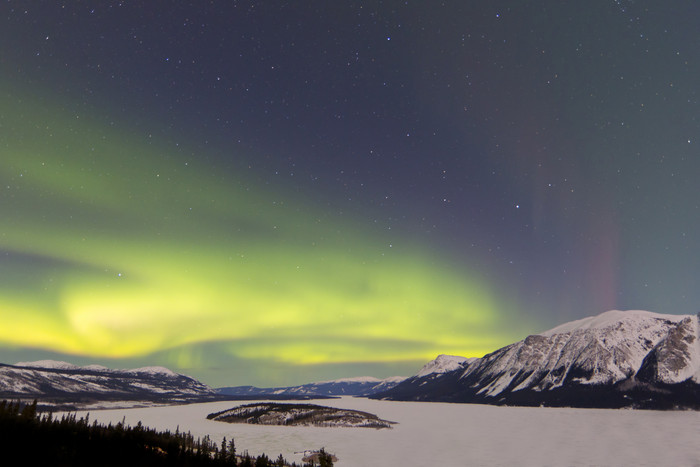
115 247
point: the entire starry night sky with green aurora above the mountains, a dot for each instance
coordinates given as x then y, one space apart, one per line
273 193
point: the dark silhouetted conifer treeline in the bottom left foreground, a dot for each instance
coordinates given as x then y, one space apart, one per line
69 441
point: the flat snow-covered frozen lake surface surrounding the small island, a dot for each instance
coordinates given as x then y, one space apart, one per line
454 434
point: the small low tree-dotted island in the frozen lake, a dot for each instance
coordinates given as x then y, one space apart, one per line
269 413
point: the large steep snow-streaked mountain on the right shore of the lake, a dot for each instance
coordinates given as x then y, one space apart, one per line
616 359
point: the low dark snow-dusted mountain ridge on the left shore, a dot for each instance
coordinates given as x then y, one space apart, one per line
52 379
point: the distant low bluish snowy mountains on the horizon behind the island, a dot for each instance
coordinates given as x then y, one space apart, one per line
357 386
